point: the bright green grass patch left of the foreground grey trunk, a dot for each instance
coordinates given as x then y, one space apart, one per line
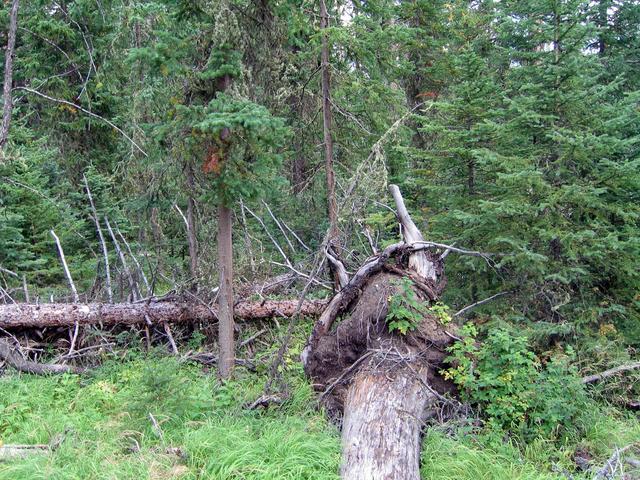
108 432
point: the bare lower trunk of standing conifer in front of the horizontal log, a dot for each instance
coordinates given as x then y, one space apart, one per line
225 301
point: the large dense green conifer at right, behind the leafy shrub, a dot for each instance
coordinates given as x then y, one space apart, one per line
555 170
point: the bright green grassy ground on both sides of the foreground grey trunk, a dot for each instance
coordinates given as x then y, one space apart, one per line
150 416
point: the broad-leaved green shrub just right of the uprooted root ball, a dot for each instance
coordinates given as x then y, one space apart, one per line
513 388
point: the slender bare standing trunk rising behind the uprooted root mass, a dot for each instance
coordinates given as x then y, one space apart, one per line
326 116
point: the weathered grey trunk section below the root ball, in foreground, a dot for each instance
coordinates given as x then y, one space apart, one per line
383 418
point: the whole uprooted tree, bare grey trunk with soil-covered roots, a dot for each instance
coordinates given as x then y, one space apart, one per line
380 381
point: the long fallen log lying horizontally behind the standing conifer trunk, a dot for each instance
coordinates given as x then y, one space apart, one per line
66 315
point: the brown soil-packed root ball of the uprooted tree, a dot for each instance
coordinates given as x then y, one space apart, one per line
362 342
